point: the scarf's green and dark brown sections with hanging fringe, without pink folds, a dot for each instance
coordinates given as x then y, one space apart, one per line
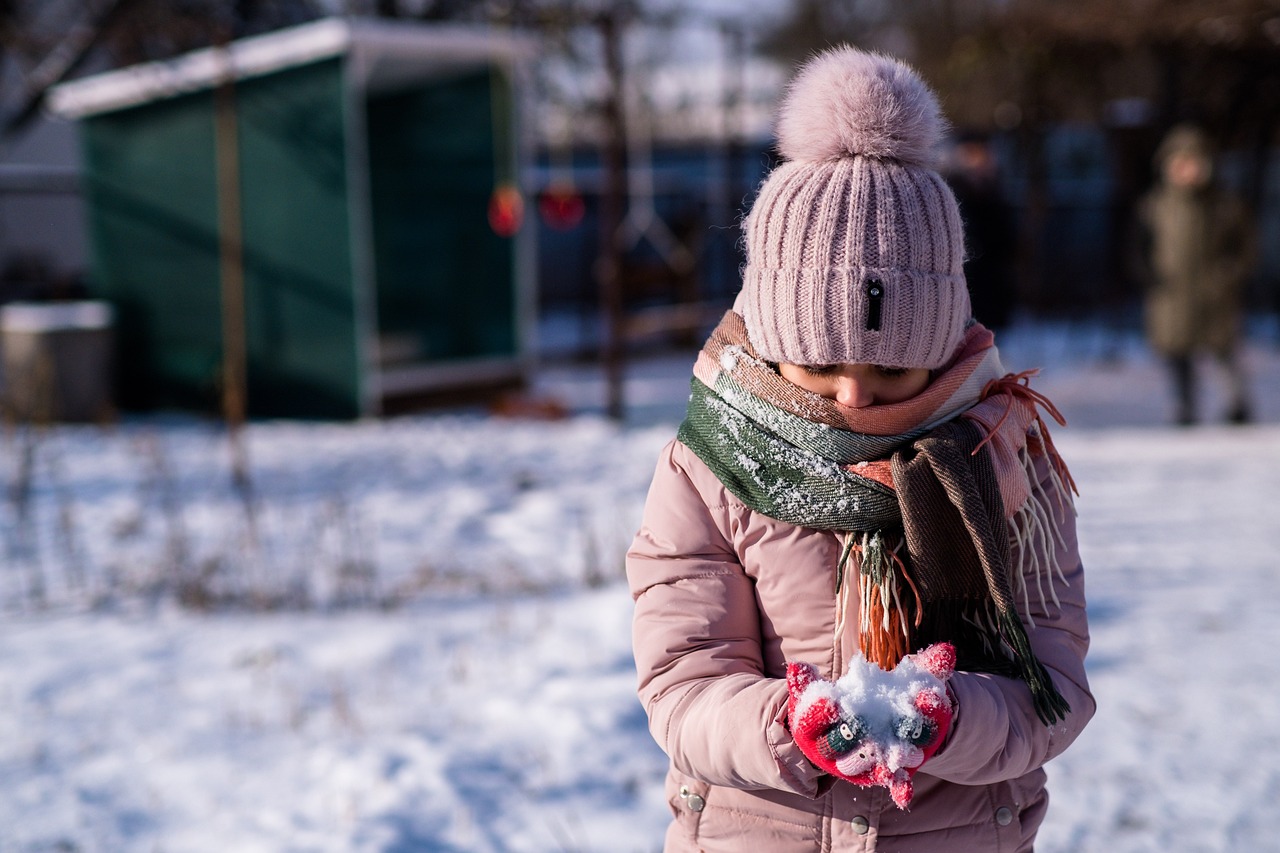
945 512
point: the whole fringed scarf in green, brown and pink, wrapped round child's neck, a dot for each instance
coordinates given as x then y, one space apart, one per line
929 516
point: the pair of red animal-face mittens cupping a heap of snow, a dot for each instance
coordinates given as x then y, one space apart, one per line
871 727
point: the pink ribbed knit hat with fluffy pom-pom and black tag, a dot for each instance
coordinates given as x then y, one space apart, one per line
854 245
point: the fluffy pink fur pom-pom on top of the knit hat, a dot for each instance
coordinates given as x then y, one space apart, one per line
845 102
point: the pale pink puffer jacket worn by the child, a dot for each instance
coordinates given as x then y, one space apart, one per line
726 596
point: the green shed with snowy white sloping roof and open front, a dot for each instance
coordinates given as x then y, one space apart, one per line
371 156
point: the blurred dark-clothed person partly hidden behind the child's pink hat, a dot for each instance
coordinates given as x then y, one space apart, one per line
991 235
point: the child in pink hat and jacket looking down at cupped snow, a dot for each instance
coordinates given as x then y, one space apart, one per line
858 559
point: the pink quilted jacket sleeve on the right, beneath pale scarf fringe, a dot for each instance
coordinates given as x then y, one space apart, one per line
996 735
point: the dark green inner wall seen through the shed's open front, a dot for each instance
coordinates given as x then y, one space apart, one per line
445 279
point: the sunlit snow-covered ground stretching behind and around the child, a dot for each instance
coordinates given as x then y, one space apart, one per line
417 636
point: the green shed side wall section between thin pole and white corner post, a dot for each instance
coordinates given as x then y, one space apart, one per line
300 291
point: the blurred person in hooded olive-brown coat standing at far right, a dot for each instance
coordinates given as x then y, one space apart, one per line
1197 248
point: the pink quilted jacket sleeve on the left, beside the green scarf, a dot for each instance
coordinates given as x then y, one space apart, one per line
697 638
